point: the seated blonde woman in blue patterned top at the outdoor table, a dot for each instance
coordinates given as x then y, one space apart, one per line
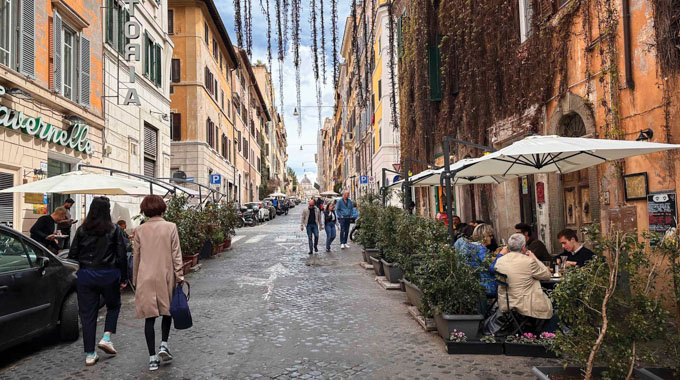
476 250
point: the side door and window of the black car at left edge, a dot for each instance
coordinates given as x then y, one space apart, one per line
25 301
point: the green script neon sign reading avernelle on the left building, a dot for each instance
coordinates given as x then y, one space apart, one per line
75 137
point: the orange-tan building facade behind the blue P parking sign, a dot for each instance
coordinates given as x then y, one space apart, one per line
202 115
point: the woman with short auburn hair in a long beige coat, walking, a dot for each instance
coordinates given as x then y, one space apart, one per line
157 270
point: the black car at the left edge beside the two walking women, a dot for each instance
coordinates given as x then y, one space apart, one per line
37 291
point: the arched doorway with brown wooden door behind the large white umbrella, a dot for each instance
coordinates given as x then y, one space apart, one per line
575 186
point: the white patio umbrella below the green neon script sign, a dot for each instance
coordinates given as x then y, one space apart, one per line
79 182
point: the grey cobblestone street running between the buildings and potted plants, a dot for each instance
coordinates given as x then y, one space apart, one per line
260 312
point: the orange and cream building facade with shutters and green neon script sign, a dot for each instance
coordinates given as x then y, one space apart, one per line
51 107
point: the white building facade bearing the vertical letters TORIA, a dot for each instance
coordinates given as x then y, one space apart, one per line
137 95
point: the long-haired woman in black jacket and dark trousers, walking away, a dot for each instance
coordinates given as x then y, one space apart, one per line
99 248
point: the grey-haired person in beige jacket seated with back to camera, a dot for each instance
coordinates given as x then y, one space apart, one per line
524 272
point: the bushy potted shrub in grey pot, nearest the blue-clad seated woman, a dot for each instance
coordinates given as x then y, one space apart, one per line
453 287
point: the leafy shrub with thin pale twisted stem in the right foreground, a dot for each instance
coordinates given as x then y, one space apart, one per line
609 306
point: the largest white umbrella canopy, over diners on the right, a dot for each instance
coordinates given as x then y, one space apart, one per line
554 154
